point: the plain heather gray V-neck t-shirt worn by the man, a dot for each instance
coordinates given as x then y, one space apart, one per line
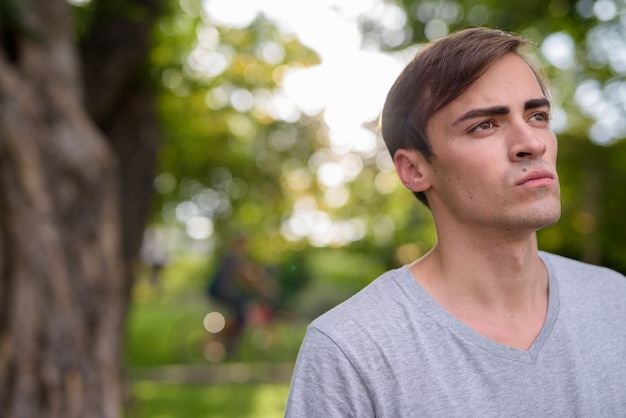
392 351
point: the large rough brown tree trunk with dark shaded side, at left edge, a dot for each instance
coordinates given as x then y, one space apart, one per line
72 211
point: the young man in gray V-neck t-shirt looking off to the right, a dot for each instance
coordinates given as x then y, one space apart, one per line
484 324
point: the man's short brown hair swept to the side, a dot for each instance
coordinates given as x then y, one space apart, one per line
439 73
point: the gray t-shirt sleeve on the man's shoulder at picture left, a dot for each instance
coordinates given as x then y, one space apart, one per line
325 383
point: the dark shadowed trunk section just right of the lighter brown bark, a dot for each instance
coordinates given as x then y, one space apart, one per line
119 101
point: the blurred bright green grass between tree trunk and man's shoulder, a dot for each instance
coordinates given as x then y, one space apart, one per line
165 328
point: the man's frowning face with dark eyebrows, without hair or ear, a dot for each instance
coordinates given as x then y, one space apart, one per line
495 153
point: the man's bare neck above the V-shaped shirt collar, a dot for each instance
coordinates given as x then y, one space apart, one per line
498 287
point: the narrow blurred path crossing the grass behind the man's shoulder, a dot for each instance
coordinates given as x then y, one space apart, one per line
216 373
